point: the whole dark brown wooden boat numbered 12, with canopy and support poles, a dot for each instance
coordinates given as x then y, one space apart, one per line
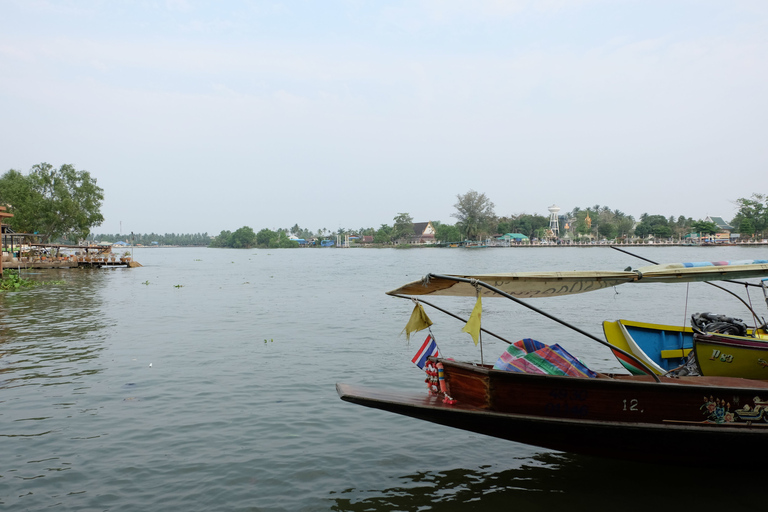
645 417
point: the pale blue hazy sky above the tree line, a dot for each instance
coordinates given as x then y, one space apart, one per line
203 116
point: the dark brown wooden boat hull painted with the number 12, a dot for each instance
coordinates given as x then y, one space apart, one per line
630 417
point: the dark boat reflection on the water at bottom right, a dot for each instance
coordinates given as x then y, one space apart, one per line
548 480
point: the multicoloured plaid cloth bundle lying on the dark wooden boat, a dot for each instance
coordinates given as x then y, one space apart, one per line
531 356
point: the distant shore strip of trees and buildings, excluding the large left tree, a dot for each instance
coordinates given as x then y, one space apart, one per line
477 221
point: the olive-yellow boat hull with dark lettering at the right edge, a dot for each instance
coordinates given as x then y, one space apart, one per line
722 354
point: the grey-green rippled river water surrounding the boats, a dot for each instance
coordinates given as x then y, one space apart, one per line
205 380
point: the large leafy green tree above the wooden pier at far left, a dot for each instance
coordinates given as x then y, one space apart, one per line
54 202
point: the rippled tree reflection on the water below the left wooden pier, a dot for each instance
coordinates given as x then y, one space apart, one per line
50 341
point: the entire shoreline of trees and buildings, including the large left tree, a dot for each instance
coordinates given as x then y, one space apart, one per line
63 205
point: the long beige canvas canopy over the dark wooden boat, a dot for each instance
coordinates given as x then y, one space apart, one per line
554 284
